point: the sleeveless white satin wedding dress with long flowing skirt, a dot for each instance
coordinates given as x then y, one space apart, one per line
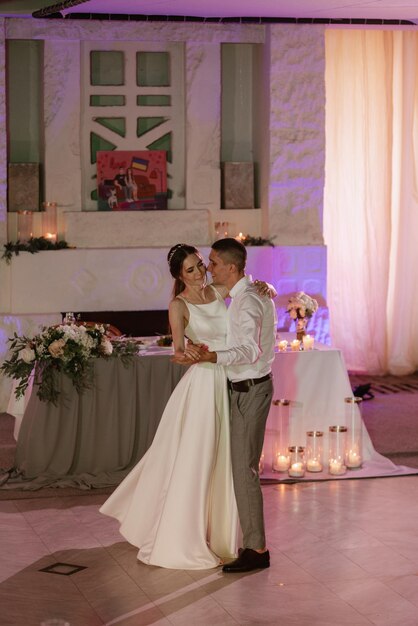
177 505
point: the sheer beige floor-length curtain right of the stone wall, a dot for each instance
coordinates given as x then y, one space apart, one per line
371 197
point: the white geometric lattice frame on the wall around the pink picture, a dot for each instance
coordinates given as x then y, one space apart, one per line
173 114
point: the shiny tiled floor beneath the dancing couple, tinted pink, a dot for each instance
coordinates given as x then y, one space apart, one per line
343 553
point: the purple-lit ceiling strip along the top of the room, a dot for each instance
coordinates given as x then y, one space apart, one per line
316 9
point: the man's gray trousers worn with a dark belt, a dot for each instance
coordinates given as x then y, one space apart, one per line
249 411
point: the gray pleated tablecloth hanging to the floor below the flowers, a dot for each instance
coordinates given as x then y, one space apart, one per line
94 439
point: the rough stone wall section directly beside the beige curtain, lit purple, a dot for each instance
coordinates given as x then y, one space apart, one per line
297 133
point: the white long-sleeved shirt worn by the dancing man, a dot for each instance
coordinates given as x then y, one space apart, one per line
250 337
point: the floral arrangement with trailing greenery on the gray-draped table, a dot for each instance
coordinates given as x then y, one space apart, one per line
67 348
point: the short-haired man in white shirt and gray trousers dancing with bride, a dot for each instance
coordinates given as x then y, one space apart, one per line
251 324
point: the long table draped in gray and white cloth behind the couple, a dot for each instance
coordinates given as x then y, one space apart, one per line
94 439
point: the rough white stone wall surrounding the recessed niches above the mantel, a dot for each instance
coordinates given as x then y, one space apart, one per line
294 124
